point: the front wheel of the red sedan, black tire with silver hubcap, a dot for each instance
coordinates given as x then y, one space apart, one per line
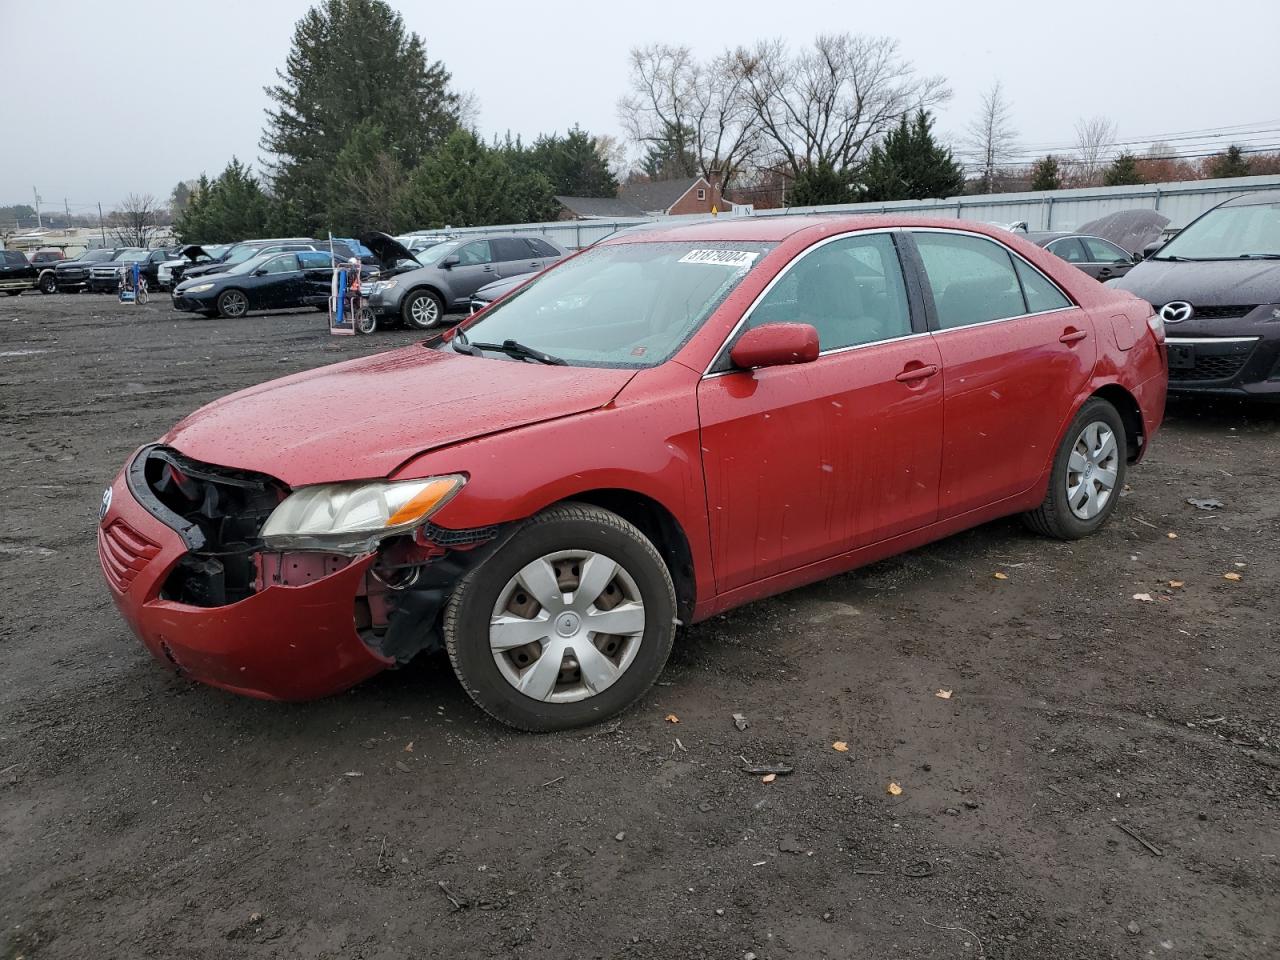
624 666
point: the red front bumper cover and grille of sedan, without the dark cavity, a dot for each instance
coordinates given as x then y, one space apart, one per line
284 643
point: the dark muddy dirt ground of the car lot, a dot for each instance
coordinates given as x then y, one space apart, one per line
144 816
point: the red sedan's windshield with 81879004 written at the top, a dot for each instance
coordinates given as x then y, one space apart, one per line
629 305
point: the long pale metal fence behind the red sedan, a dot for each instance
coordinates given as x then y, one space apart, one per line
1049 211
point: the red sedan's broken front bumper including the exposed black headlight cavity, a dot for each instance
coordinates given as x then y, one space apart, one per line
205 597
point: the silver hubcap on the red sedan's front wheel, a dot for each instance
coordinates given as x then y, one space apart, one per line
566 627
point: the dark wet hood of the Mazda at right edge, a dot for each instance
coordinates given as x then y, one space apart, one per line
1214 284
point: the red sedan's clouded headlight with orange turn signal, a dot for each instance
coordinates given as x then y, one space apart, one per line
354 518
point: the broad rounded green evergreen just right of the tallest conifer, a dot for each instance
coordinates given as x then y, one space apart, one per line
467 184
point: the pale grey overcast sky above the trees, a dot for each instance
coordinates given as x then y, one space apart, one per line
106 99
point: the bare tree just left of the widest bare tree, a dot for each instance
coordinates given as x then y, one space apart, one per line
691 109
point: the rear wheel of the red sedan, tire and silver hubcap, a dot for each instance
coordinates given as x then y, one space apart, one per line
1092 455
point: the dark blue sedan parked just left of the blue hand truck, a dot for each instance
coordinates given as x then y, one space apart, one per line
272 281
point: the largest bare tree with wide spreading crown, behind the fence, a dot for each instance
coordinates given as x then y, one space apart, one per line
826 106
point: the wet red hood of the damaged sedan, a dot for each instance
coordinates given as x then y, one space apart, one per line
365 418
